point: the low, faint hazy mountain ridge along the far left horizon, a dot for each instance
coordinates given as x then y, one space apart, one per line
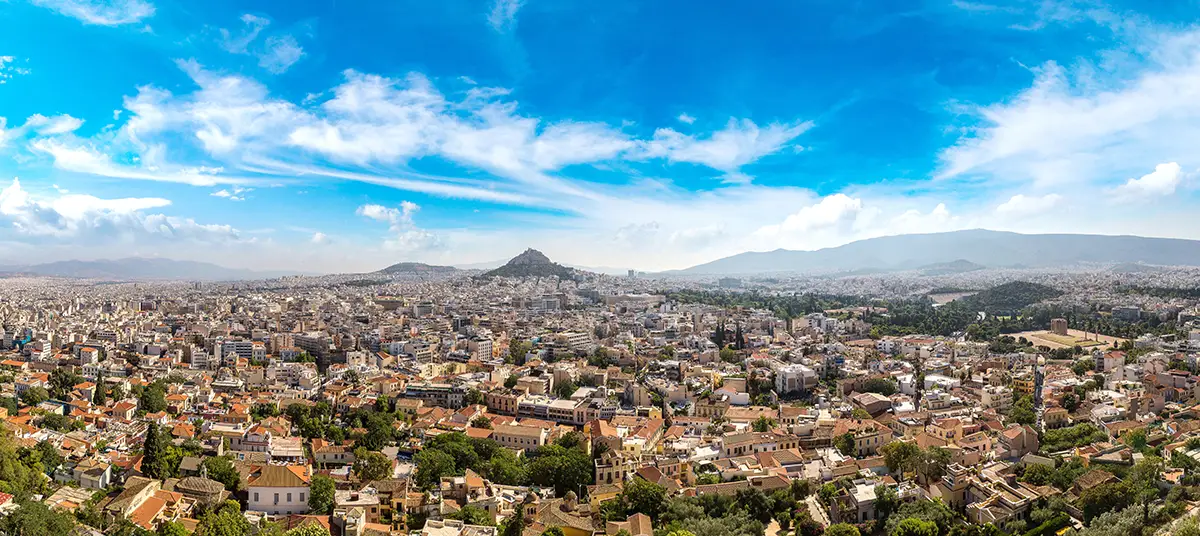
135 268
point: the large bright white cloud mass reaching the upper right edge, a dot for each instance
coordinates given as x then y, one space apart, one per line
1090 124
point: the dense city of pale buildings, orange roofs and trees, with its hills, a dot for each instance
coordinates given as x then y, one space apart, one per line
544 401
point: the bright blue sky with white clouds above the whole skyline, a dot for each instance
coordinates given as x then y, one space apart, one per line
339 136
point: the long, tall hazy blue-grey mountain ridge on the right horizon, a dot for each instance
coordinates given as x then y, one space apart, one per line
982 248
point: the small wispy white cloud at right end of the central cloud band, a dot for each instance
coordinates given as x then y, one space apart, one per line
728 150
